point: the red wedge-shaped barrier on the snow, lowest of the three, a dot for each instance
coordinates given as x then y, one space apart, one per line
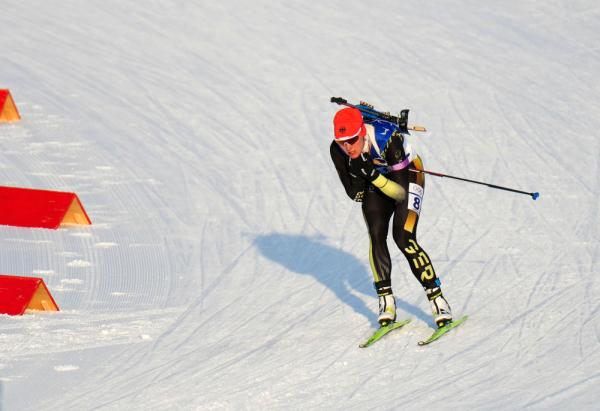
21 294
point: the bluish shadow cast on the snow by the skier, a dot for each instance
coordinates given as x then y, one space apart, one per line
338 270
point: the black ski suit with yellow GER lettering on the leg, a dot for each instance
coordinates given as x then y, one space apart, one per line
378 208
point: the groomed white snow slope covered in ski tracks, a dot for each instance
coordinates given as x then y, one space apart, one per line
227 269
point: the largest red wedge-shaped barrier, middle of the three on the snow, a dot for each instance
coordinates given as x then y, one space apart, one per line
25 207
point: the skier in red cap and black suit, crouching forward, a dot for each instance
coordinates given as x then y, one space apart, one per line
372 159
